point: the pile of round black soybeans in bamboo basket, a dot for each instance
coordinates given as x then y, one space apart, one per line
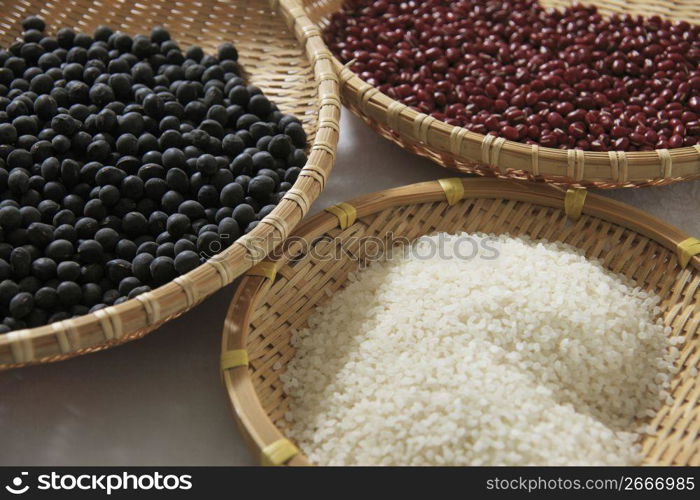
125 162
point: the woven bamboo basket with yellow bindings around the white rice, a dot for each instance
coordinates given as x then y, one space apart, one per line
286 288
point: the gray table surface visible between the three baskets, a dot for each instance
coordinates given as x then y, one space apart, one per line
159 400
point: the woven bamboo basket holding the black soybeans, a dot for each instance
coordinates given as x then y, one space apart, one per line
281 53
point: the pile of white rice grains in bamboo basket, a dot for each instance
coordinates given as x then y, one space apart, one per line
536 357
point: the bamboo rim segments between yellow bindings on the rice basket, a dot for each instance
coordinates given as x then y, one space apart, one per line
258 430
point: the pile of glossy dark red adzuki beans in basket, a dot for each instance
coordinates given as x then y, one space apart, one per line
569 78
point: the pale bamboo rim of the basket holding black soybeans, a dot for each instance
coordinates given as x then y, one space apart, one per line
150 310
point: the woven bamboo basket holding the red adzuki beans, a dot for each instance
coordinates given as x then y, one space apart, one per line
458 149
